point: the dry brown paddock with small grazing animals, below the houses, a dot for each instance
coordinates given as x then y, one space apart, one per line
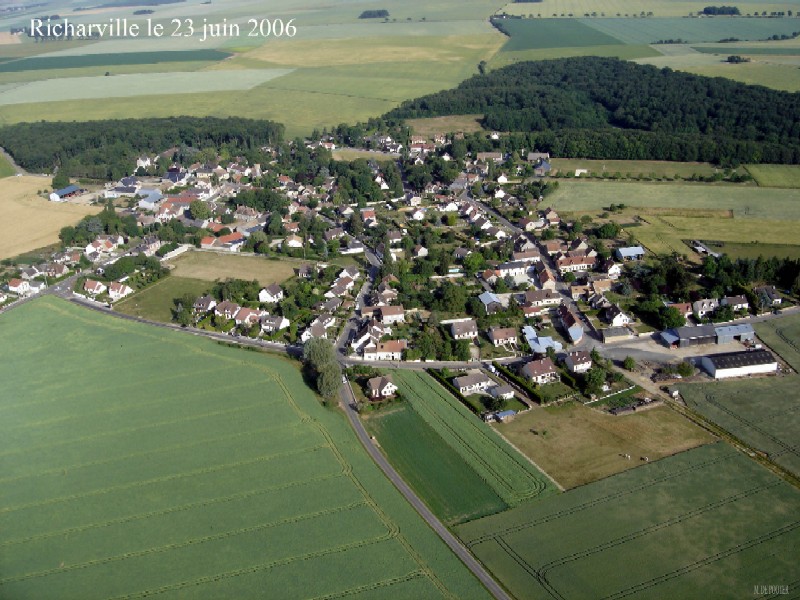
576 444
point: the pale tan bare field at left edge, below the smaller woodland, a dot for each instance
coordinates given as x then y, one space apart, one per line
28 221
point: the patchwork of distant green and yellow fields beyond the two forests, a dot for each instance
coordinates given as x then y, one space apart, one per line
339 68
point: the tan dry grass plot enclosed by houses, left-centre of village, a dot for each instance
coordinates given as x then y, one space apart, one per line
213 266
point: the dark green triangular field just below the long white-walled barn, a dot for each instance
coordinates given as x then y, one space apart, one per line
763 412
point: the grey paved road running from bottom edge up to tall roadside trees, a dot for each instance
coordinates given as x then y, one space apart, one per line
347 401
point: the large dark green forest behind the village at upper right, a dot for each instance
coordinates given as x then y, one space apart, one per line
611 109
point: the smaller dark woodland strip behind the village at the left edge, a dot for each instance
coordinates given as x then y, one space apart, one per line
108 150
